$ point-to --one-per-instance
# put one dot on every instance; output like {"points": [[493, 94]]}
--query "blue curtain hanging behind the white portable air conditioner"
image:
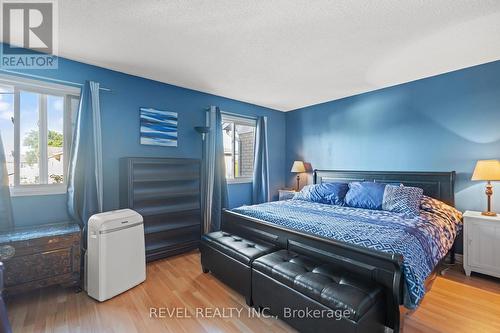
{"points": [[85, 192]]}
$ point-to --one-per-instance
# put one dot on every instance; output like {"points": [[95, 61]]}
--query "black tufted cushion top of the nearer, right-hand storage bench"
{"points": [[323, 282]]}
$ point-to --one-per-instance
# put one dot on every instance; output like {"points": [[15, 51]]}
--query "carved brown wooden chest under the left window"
{"points": [[40, 256]]}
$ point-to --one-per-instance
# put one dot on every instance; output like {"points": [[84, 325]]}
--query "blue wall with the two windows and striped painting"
{"points": [[120, 121]]}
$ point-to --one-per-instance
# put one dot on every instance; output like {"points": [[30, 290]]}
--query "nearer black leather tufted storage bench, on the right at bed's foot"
{"points": [[314, 296]]}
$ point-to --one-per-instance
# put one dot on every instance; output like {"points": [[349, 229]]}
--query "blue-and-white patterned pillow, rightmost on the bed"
{"points": [[402, 199]]}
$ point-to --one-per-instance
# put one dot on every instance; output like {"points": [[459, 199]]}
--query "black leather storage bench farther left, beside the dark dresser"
{"points": [[229, 257]]}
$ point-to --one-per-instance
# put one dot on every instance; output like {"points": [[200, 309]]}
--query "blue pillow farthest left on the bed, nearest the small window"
{"points": [[327, 193]]}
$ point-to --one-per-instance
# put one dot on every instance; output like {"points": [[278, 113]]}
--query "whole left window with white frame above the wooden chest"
{"points": [[36, 127]]}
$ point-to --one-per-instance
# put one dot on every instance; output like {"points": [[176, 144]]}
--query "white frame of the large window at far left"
{"points": [[19, 84]]}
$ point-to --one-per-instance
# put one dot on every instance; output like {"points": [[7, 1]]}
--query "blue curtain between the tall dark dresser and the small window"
{"points": [[214, 195]]}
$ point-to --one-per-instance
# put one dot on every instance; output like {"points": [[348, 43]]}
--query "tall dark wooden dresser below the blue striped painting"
{"points": [[166, 192]]}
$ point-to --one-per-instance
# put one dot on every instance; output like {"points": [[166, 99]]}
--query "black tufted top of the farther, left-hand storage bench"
{"points": [[236, 247]]}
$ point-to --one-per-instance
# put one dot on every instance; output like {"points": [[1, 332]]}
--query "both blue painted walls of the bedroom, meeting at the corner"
{"points": [[445, 123]]}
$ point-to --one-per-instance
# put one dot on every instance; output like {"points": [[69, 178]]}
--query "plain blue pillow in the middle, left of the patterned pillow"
{"points": [[368, 195]]}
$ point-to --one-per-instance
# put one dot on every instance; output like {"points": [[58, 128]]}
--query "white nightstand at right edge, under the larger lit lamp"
{"points": [[481, 244]]}
